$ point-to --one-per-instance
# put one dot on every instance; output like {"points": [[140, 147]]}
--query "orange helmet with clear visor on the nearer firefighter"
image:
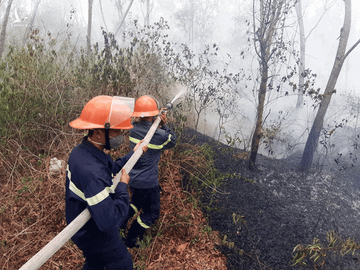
{"points": [[104, 111]]}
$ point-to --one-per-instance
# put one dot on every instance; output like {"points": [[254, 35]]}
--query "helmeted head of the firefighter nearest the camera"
{"points": [[104, 117]]}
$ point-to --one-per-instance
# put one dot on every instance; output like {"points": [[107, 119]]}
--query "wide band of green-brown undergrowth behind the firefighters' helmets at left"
{"points": [[42, 88]]}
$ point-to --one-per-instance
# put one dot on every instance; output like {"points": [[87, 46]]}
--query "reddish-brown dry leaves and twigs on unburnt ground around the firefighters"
{"points": [[32, 213]]}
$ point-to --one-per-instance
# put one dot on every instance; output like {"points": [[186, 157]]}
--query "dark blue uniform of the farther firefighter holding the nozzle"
{"points": [[144, 183]]}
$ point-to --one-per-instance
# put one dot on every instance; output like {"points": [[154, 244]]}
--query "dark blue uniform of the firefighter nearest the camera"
{"points": [[89, 185]]}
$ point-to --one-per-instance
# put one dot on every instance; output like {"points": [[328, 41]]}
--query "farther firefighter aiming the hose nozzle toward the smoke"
{"points": [[144, 184]]}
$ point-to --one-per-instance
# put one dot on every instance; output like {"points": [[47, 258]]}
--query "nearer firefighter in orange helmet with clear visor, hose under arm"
{"points": [[89, 184]]}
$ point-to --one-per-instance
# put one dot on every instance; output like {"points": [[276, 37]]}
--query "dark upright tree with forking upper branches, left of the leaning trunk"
{"points": [[268, 41]]}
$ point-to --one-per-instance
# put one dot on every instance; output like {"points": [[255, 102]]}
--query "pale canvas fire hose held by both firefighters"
{"points": [[58, 241]]}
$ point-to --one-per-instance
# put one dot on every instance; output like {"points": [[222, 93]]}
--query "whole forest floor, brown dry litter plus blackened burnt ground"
{"points": [[252, 221]]}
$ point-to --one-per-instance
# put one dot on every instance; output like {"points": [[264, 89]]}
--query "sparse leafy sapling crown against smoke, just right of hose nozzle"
{"points": [[209, 84]]}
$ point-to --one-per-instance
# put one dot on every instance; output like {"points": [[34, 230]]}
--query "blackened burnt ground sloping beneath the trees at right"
{"points": [[268, 211]]}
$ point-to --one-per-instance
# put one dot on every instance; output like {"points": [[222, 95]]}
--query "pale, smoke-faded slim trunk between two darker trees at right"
{"points": [[300, 98]]}
